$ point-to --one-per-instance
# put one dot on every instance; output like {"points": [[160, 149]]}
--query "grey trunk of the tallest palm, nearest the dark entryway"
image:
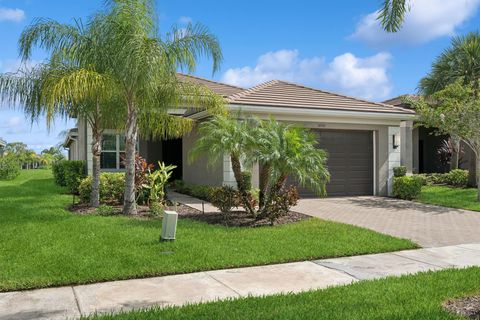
{"points": [[129, 205]]}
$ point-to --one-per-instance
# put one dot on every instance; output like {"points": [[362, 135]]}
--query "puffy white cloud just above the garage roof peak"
{"points": [[361, 77]]}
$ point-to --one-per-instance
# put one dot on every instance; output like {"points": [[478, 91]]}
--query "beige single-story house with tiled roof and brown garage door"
{"points": [[365, 140]]}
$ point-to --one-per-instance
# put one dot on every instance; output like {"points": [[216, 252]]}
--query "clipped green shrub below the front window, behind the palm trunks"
{"points": [[111, 188]]}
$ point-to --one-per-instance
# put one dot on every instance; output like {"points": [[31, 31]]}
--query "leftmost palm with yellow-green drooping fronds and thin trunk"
{"points": [[55, 88]]}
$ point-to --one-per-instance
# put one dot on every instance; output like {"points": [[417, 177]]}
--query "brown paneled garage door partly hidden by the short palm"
{"points": [[350, 162]]}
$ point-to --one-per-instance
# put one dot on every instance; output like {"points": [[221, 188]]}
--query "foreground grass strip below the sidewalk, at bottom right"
{"points": [[411, 297]]}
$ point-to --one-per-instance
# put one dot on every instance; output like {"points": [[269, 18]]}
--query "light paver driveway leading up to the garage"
{"points": [[427, 225]]}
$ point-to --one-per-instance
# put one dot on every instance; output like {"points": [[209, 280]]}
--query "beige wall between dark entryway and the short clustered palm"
{"points": [[199, 172]]}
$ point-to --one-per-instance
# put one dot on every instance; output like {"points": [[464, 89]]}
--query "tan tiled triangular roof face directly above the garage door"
{"points": [[278, 93]]}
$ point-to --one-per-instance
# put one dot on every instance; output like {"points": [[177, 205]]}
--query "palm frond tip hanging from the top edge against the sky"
{"points": [[392, 14]]}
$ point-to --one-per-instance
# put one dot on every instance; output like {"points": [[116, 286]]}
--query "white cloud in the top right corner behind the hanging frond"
{"points": [[427, 20]]}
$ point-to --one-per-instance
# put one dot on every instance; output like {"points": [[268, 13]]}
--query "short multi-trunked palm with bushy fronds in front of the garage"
{"points": [[282, 150]]}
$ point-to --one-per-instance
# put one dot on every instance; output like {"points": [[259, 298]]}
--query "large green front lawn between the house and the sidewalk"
{"points": [[42, 244]]}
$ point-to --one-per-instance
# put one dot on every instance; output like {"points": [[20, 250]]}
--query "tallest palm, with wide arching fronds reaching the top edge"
{"points": [[130, 60]]}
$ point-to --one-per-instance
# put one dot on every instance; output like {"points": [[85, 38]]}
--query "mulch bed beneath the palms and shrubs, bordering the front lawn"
{"points": [[237, 218]]}
